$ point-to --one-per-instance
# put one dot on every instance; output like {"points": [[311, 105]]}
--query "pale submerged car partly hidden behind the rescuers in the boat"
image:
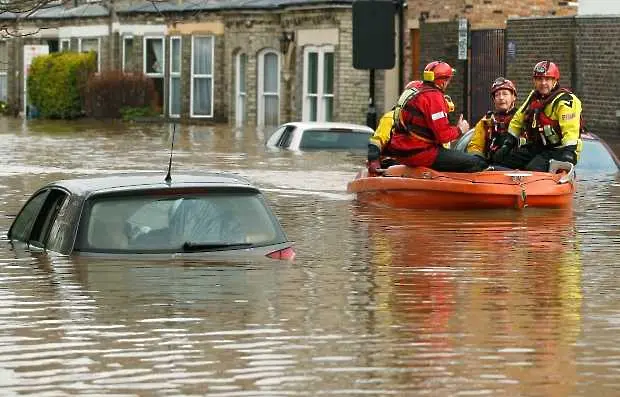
{"points": [[596, 155]]}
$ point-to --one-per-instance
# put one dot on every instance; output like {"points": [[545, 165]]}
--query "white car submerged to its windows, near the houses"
{"points": [[320, 136]]}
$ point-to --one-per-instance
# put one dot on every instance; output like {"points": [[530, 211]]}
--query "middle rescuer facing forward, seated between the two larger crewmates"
{"points": [[491, 131]]}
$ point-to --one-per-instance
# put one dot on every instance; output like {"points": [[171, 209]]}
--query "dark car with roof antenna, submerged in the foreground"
{"points": [[209, 215]]}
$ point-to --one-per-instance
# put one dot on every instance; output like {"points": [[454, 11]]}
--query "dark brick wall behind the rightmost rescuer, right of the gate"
{"points": [[587, 53]]}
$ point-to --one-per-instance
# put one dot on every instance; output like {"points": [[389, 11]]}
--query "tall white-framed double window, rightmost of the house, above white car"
{"points": [[318, 104]]}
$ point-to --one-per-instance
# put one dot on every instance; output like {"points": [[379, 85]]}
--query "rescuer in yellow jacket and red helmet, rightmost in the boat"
{"points": [[548, 124]]}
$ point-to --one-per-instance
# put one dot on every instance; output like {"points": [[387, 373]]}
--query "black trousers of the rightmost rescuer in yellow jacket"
{"points": [[533, 158]]}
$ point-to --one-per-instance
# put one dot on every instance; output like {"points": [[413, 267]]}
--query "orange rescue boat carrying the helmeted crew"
{"points": [[405, 187]]}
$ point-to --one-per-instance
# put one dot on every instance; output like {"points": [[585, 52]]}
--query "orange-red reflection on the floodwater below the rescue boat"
{"points": [[494, 296]]}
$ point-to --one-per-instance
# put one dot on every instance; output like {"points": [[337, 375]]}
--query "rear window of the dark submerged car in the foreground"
{"points": [[145, 224]]}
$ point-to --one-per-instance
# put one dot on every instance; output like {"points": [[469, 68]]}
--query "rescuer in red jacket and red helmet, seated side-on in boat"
{"points": [[421, 127]]}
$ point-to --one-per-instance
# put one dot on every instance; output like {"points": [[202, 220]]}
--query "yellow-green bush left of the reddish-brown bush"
{"points": [[56, 83]]}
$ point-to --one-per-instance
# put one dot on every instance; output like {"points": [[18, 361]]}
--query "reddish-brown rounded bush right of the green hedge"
{"points": [[114, 94]]}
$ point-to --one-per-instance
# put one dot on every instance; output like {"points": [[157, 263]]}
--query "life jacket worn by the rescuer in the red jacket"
{"points": [[417, 130]]}
